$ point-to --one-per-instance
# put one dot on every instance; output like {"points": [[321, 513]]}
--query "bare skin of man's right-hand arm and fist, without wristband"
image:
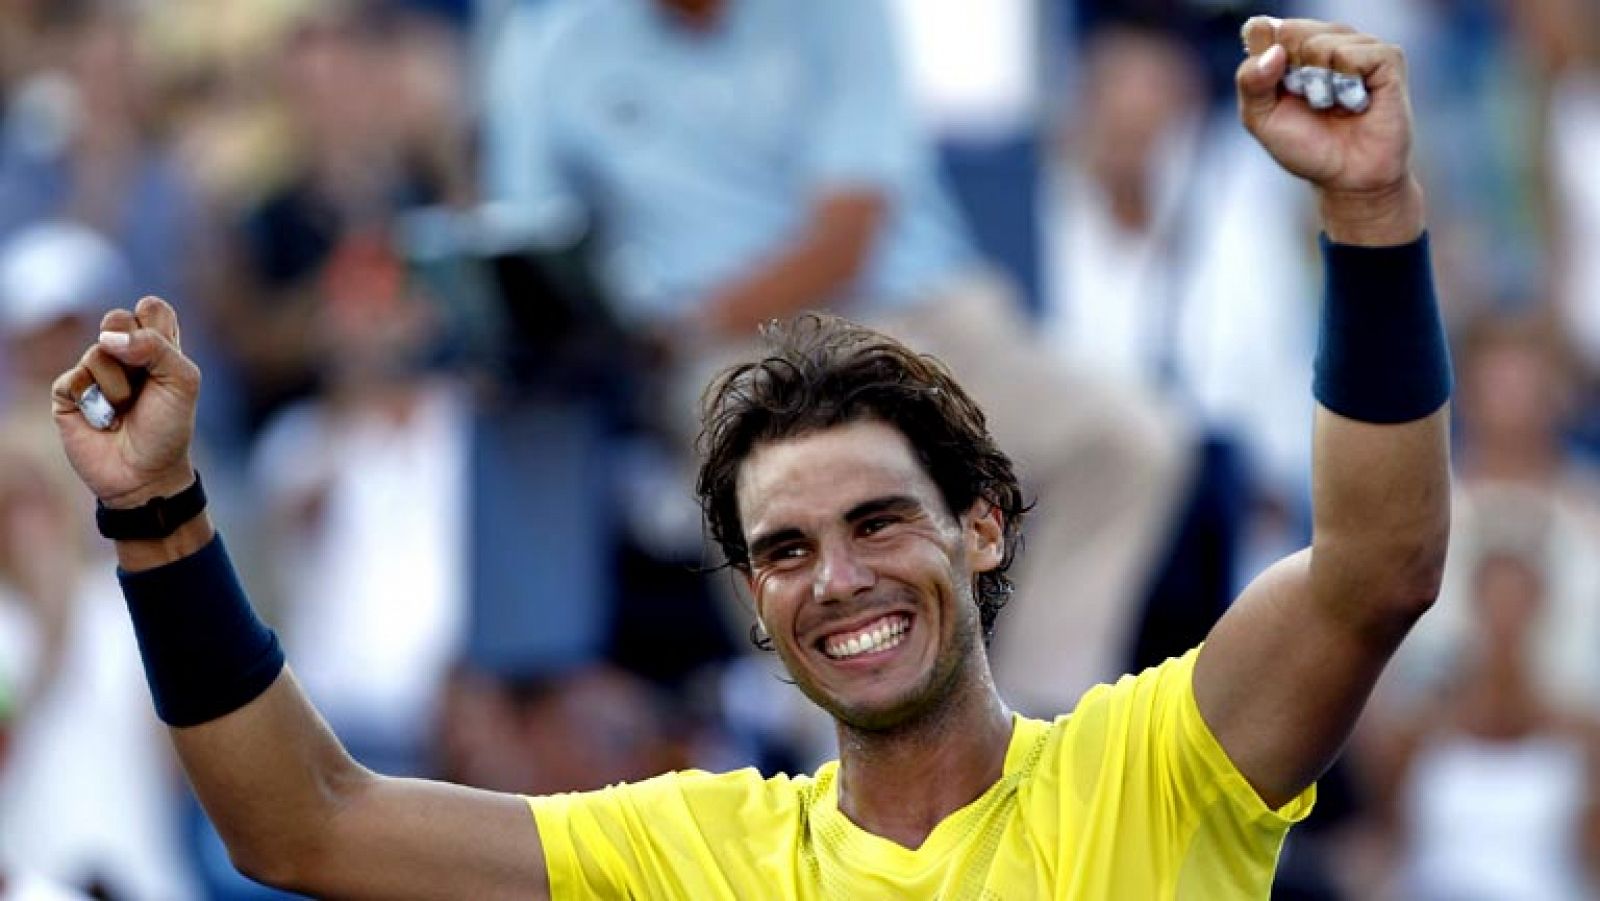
{"points": [[1287, 671]]}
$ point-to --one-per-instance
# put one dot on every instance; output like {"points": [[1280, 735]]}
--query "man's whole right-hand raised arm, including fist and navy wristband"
{"points": [[1284, 676]]}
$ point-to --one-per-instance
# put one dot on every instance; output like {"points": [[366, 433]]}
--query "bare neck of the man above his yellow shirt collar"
{"points": [[902, 783]]}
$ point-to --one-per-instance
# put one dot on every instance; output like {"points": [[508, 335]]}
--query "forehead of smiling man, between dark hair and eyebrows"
{"points": [[820, 476]]}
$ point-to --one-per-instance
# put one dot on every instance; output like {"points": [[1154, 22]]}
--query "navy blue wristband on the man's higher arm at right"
{"points": [[1383, 354]]}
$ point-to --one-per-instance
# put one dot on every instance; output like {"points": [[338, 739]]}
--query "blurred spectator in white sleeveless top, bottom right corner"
{"points": [[1494, 790]]}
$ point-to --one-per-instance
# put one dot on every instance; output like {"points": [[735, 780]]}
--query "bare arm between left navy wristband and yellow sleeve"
{"points": [[297, 812]]}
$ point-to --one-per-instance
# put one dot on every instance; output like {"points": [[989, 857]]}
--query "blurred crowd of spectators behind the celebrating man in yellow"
{"points": [[455, 270]]}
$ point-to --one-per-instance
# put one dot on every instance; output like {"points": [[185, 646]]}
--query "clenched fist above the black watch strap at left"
{"points": [[145, 375]]}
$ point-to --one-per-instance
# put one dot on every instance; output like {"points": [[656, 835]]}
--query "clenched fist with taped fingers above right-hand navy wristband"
{"points": [[1361, 164]]}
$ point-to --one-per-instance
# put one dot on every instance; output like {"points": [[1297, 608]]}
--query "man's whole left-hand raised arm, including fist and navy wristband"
{"points": [[295, 811]]}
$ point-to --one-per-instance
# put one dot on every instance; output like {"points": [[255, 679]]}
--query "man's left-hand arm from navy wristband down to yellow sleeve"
{"points": [[292, 806]]}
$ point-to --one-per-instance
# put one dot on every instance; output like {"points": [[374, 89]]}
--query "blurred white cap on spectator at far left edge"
{"points": [[57, 270]]}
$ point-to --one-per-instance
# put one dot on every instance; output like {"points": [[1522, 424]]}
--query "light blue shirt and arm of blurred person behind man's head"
{"points": [[726, 151]]}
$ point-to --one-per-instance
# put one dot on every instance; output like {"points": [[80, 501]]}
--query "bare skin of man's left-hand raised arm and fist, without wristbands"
{"points": [[295, 811]]}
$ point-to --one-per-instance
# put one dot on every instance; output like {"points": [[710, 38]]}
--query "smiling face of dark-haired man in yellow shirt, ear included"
{"points": [[862, 575]]}
